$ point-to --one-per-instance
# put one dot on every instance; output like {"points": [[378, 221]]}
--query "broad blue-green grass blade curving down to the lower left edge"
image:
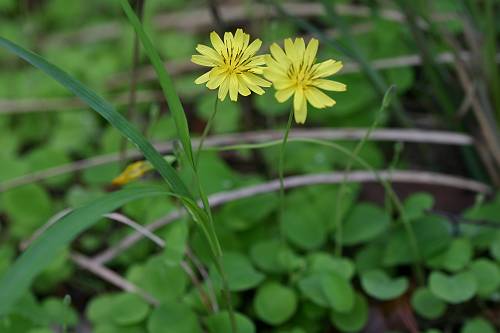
{"points": [[42, 251]]}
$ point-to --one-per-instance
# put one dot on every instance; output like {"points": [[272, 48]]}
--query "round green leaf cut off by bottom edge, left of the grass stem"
{"points": [[173, 317]]}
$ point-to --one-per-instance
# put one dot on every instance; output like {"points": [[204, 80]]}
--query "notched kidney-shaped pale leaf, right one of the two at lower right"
{"points": [[453, 288]]}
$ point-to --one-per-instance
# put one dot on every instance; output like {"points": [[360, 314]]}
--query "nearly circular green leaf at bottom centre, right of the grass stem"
{"points": [[275, 304]]}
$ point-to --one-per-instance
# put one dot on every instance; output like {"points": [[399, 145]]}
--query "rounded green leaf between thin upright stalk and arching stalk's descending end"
{"points": [[364, 222]]}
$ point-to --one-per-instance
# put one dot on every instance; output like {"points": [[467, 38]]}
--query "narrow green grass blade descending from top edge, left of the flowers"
{"points": [[166, 82]]}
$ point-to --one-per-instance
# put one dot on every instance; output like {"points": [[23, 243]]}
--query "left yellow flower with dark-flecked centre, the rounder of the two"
{"points": [[234, 65]]}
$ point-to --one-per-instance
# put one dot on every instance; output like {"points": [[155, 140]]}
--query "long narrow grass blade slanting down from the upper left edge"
{"points": [[106, 110]]}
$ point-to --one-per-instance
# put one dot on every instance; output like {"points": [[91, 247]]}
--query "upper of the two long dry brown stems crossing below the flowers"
{"points": [[403, 135]]}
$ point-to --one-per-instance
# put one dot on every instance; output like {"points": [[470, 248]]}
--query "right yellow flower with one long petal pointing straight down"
{"points": [[294, 72]]}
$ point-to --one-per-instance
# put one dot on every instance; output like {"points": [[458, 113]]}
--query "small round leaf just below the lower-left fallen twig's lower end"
{"points": [[128, 309]]}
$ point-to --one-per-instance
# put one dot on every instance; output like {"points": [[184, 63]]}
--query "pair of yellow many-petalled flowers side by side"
{"points": [[236, 69]]}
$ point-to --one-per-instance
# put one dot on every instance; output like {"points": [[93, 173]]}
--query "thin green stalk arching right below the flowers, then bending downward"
{"points": [[385, 183]]}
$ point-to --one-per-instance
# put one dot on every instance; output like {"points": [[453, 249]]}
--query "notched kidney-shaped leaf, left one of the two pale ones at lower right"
{"points": [[379, 285]]}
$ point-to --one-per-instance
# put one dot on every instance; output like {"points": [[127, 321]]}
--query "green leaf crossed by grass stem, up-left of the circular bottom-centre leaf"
{"points": [[240, 273]]}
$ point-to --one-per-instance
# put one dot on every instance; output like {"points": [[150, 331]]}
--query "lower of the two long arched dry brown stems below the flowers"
{"points": [[215, 200]]}
